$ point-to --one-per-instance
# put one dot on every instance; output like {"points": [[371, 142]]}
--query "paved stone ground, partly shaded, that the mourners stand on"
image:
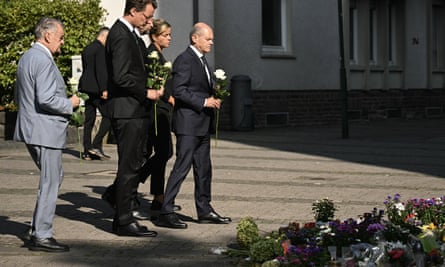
{"points": [[272, 175]]}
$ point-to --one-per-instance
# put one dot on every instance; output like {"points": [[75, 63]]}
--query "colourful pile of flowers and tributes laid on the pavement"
{"points": [[404, 234]]}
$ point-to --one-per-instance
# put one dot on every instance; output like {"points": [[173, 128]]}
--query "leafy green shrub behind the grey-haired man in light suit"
{"points": [[82, 19]]}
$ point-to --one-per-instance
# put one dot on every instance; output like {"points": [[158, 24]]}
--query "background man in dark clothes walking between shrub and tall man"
{"points": [[94, 83]]}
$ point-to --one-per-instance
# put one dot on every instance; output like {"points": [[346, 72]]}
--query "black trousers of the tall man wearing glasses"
{"points": [[130, 136]]}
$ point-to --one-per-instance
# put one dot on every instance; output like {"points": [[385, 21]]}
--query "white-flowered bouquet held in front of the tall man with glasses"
{"points": [[158, 74]]}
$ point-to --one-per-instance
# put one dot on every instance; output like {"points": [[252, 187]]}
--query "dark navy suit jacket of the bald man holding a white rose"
{"points": [[190, 89]]}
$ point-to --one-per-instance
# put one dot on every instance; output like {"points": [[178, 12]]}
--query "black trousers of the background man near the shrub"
{"points": [[93, 103]]}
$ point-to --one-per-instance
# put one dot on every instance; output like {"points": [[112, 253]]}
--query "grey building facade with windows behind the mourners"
{"points": [[290, 52]]}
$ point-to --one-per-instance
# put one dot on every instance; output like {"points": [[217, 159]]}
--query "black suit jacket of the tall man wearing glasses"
{"points": [[126, 74]]}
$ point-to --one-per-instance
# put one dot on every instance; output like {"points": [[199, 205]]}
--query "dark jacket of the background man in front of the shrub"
{"points": [[94, 71]]}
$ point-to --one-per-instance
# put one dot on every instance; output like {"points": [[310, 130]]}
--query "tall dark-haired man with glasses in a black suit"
{"points": [[129, 107]]}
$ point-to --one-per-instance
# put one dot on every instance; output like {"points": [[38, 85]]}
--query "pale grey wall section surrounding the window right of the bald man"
{"points": [[315, 42]]}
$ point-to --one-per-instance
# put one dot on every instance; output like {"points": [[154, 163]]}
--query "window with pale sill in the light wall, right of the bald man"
{"points": [[276, 33]]}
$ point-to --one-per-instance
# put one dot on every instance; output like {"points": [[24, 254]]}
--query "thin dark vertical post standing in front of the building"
{"points": [[343, 80]]}
